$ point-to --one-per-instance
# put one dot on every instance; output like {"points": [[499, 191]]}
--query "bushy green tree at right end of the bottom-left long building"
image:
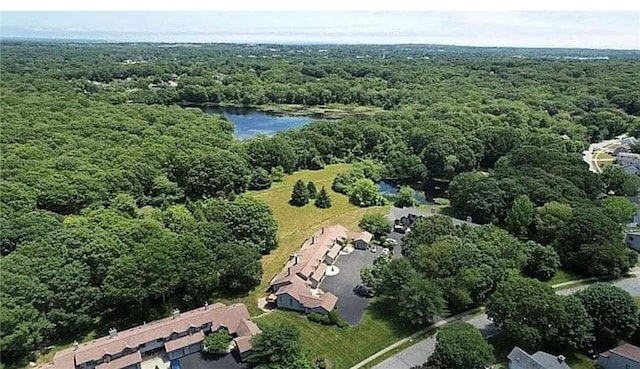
{"points": [[279, 347]]}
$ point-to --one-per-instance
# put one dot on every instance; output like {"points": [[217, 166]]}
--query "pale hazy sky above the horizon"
{"points": [[617, 30]]}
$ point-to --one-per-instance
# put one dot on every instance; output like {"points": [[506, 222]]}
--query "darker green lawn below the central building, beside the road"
{"points": [[343, 347]]}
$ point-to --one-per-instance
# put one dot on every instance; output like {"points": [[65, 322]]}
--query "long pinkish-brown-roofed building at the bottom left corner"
{"points": [[171, 338]]}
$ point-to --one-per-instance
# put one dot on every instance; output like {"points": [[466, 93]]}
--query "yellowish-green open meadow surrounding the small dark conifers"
{"points": [[295, 224]]}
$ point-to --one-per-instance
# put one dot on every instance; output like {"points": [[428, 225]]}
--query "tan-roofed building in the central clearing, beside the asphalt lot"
{"points": [[296, 287]]}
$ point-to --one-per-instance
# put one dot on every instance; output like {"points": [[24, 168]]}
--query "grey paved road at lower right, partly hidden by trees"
{"points": [[418, 353]]}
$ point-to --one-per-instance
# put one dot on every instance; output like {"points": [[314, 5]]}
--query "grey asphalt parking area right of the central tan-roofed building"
{"points": [[351, 307]]}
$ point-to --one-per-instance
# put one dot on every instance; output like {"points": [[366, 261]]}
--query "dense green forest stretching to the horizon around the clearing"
{"points": [[120, 198]]}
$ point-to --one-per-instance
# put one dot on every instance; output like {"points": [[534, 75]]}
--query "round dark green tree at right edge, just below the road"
{"points": [[612, 310]]}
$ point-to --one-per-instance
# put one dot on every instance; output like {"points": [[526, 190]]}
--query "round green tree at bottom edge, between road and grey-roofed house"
{"points": [[460, 345]]}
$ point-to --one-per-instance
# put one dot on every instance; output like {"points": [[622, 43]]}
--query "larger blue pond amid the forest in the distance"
{"points": [[249, 123]]}
